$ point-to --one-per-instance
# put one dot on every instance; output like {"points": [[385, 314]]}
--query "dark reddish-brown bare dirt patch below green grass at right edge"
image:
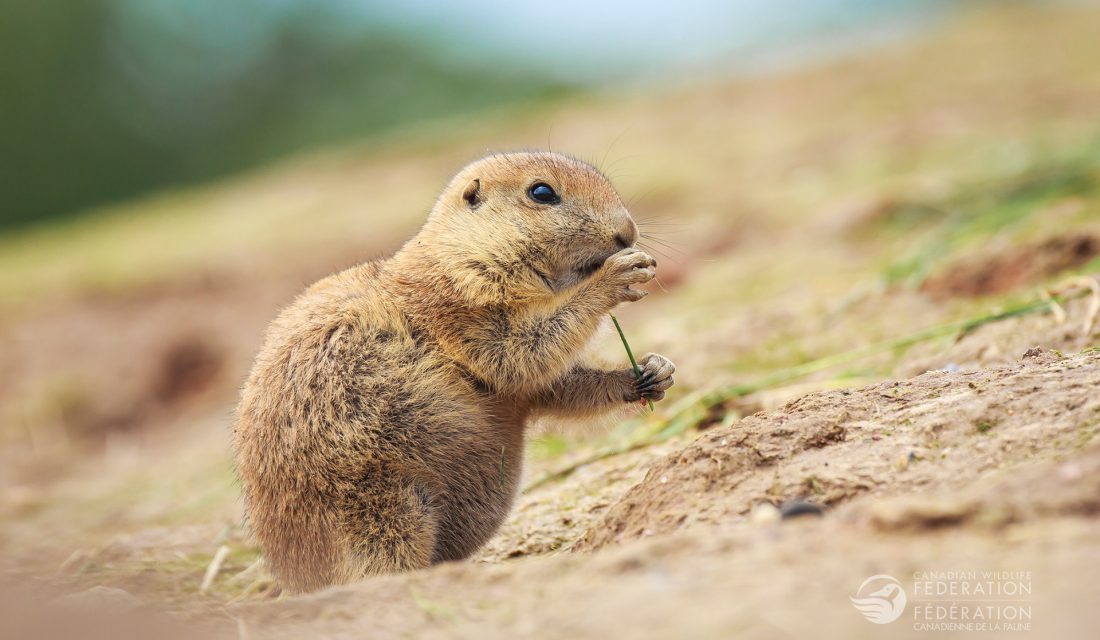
{"points": [[1009, 270]]}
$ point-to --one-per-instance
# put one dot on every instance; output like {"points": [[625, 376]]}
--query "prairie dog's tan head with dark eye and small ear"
{"points": [[523, 227]]}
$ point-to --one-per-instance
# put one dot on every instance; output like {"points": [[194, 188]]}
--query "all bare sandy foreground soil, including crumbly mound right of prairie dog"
{"points": [[993, 470]]}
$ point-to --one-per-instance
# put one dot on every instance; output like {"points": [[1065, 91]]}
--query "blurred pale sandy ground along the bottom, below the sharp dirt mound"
{"points": [[789, 579]]}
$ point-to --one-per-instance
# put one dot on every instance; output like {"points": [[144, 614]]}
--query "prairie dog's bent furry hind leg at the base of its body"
{"points": [[391, 528]]}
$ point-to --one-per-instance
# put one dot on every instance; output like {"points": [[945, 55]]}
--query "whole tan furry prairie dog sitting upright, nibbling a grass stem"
{"points": [[382, 426]]}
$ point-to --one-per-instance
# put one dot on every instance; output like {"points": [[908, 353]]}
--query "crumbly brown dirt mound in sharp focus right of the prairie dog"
{"points": [[942, 429]]}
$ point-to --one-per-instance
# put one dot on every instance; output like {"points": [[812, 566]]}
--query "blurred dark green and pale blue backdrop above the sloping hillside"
{"points": [[103, 101]]}
